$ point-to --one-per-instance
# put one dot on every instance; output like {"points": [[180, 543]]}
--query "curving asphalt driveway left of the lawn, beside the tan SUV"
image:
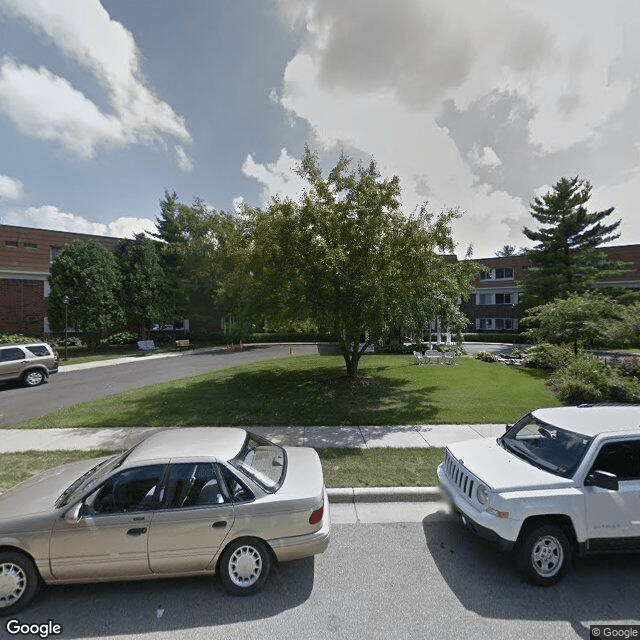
{"points": [[18, 404]]}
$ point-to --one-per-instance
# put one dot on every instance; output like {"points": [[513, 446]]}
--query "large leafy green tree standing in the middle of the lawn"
{"points": [[345, 257]]}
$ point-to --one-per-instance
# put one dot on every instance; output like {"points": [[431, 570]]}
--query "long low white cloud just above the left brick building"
{"points": [[50, 217]]}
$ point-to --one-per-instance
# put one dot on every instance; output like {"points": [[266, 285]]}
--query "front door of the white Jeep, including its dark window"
{"points": [[613, 517]]}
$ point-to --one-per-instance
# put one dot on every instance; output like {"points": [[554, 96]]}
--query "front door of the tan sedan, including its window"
{"points": [[109, 540]]}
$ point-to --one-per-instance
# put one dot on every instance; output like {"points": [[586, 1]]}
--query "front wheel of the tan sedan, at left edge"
{"points": [[19, 582]]}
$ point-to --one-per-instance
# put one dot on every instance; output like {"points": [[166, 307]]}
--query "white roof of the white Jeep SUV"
{"points": [[592, 420]]}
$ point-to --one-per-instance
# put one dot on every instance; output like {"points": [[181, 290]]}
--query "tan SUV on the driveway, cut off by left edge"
{"points": [[31, 363]]}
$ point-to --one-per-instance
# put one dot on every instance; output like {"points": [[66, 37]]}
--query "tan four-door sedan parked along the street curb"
{"points": [[183, 502]]}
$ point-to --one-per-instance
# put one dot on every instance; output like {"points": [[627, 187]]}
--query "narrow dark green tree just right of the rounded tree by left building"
{"points": [[143, 294]]}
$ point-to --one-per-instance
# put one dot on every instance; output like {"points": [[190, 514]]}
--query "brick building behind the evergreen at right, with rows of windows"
{"points": [[495, 303]]}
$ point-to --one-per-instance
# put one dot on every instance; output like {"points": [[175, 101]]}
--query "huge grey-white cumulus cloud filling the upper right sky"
{"points": [[376, 77]]}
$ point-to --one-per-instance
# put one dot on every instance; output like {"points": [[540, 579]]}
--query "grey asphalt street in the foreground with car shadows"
{"points": [[399, 580]]}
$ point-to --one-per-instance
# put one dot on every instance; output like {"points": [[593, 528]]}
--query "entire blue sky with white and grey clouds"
{"points": [[476, 105]]}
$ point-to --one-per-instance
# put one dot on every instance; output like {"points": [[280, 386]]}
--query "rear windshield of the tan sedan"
{"points": [[264, 462]]}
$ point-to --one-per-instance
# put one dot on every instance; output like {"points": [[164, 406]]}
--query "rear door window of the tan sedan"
{"points": [[191, 484]]}
